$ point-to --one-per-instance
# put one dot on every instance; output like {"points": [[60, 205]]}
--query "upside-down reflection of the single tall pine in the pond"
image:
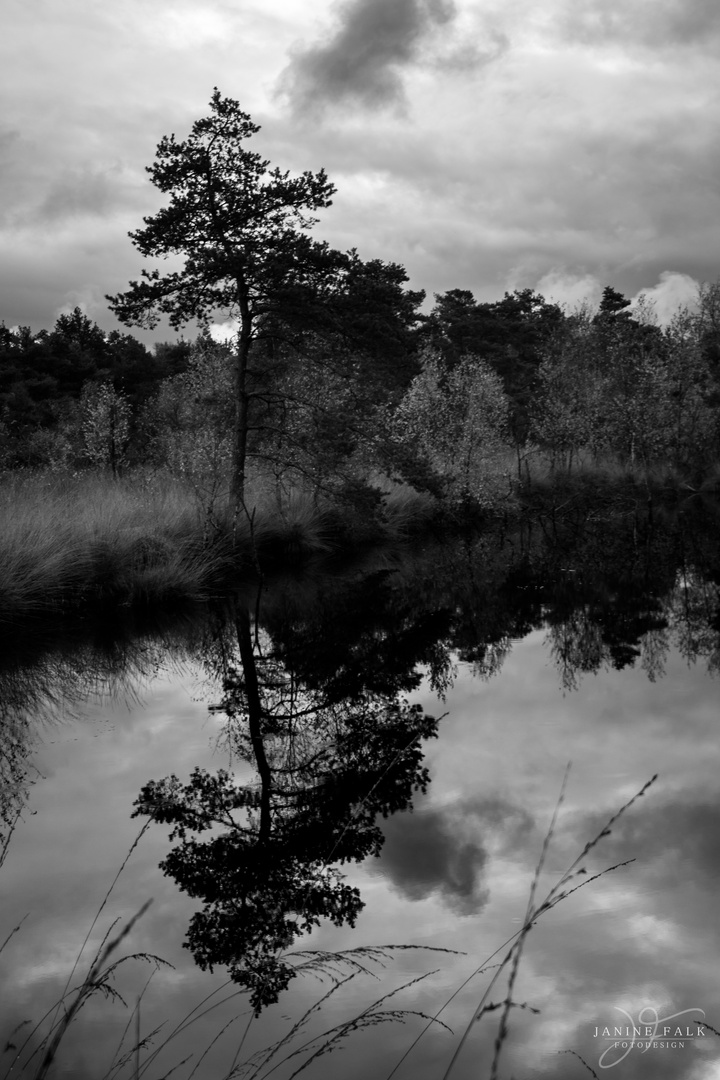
{"points": [[328, 767]]}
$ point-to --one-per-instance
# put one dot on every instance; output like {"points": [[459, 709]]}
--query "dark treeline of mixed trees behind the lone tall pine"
{"points": [[452, 402]]}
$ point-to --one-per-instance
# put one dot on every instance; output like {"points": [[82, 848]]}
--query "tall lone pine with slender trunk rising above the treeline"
{"points": [[240, 227]]}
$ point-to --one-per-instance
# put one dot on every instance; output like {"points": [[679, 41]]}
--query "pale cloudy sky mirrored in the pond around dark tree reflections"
{"points": [[454, 874]]}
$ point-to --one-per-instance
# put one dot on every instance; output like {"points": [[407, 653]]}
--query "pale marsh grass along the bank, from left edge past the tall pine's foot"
{"points": [[74, 543]]}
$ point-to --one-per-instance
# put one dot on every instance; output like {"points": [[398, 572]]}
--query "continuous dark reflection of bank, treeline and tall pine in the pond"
{"points": [[314, 688]]}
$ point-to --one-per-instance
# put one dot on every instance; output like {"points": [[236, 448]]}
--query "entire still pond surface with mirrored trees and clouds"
{"points": [[460, 679]]}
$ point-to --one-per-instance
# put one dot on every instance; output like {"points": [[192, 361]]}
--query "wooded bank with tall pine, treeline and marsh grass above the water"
{"points": [[344, 411]]}
